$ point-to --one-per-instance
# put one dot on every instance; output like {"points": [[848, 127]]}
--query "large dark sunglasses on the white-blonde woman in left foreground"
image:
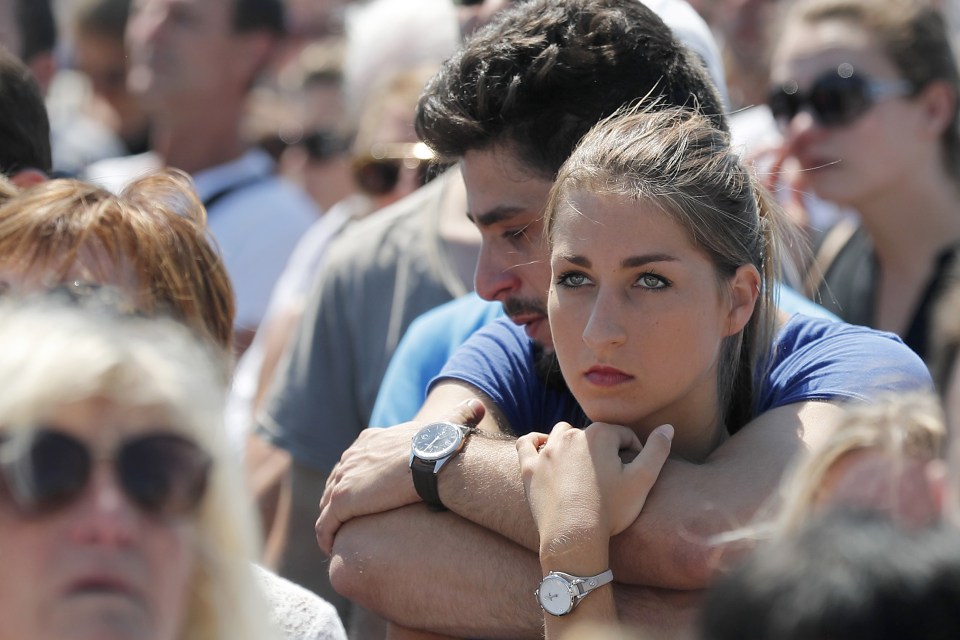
{"points": [[164, 474]]}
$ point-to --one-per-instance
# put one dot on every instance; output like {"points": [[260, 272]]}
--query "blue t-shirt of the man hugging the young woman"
{"points": [[813, 359]]}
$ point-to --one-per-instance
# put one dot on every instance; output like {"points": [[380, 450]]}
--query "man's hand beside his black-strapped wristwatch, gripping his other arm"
{"points": [[373, 475]]}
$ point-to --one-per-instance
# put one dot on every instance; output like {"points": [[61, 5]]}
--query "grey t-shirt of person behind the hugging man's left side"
{"points": [[378, 276]]}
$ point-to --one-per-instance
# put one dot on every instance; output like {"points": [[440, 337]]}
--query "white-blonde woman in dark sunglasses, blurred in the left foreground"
{"points": [[122, 514]]}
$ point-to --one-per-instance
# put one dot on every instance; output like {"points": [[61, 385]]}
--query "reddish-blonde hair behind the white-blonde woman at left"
{"points": [[156, 227]]}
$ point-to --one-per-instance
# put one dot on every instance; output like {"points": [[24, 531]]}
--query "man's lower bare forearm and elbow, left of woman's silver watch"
{"points": [[438, 572]]}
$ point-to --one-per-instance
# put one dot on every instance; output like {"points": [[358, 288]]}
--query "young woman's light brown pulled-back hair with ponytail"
{"points": [[677, 160]]}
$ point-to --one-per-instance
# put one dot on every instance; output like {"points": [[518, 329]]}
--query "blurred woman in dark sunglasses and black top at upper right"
{"points": [[865, 92]]}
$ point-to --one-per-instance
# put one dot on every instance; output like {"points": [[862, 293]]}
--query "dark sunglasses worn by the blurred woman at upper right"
{"points": [[835, 99]]}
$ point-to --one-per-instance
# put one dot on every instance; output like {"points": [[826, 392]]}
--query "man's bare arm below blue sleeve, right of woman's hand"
{"points": [[671, 544]]}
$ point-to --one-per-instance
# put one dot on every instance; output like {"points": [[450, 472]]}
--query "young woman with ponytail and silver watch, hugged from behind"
{"points": [[664, 255]]}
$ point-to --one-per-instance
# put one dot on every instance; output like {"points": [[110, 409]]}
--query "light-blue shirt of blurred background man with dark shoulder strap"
{"points": [[256, 225]]}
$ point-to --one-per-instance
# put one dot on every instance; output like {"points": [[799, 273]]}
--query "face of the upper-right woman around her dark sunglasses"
{"points": [[856, 163]]}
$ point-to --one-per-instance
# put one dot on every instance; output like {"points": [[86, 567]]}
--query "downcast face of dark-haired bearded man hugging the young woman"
{"points": [[505, 200]]}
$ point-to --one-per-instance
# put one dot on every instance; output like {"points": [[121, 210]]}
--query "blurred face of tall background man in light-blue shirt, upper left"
{"points": [[182, 50]]}
